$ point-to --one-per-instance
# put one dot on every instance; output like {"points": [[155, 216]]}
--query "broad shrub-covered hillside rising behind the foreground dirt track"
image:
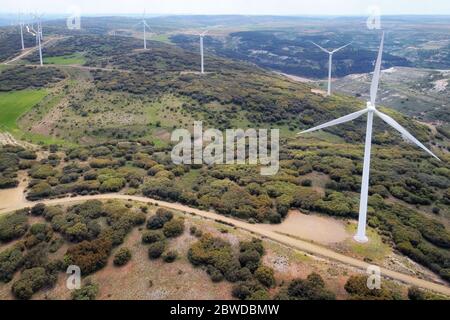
{"points": [[107, 118]]}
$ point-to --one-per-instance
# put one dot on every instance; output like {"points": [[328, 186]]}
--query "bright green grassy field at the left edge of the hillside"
{"points": [[15, 104]]}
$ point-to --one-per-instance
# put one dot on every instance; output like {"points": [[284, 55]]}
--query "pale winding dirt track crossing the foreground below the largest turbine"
{"points": [[257, 230]]}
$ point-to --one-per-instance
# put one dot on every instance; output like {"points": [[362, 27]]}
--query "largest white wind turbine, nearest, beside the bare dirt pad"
{"points": [[371, 110]]}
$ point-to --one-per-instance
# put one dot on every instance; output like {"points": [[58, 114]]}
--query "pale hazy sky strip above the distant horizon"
{"points": [[266, 7]]}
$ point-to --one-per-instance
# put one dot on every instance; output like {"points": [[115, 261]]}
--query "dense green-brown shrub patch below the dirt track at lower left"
{"points": [[91, 229]]}
